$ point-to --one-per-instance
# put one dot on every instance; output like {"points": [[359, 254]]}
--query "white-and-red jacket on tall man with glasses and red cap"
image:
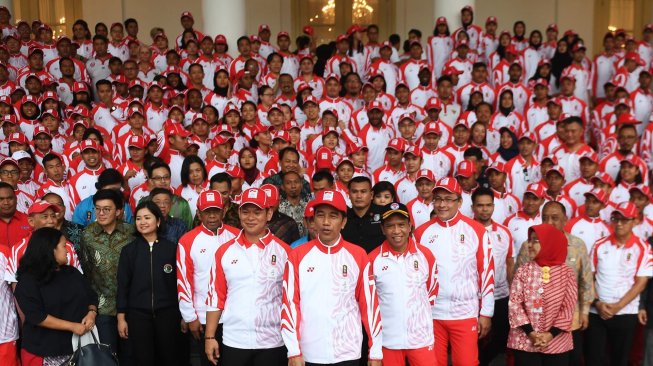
{"points": [[465, 267]]}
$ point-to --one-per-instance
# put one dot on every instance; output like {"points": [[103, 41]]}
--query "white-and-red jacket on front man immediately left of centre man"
{"points": [[245, 282]]}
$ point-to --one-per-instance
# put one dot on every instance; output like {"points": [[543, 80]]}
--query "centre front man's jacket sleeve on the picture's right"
{"points": [[368, 302]]}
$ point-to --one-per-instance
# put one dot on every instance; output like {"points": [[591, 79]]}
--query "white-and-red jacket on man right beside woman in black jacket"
{"points": [[195, 255]]}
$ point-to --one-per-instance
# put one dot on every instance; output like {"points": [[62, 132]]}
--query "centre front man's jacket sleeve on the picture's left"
{"points": [[290, 310]]}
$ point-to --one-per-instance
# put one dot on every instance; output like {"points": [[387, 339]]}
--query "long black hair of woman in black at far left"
{"points": [[38, 259]]}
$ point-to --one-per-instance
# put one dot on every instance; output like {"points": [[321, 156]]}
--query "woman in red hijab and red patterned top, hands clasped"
{"points": [[542, 299]]}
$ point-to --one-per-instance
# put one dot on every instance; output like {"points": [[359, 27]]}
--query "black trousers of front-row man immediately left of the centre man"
{"points": [[254, 357]]}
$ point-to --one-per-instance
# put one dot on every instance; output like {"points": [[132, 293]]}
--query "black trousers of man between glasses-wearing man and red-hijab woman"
{"points": [[495, 342]]}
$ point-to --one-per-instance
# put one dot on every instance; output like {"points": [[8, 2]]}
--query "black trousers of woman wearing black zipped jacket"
{"points": [[154, 337]]}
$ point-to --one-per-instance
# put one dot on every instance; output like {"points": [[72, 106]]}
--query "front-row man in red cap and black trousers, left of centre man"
{"points": [[251, 323]]}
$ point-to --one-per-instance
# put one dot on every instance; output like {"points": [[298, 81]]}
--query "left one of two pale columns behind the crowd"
{"points": [[224, 17]]}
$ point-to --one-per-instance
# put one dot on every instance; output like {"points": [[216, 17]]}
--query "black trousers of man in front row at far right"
{"points": [[615, 333]]}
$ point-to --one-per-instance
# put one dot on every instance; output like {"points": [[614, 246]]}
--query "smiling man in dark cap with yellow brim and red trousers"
{"points": [[405, 273]]}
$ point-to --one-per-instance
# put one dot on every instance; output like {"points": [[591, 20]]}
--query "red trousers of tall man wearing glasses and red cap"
{"points": [[463, 337]]}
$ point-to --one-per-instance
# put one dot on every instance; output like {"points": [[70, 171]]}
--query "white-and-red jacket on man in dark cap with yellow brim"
{"points": [[408, 285]]}
